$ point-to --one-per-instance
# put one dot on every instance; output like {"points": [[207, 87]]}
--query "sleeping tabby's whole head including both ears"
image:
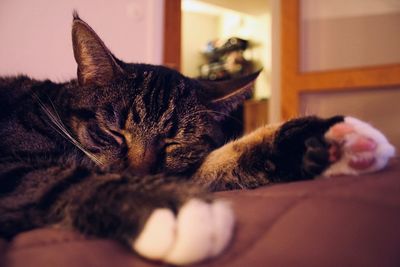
{"points": [[150, 118]]}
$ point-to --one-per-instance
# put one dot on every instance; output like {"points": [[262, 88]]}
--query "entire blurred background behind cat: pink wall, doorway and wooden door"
{"points": [[318, 57]]}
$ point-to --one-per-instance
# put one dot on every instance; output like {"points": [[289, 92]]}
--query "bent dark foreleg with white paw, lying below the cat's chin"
{"points": [[172, 222]]}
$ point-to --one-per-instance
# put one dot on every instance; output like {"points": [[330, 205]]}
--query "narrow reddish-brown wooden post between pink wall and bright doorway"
{"points": [[172, 34]]}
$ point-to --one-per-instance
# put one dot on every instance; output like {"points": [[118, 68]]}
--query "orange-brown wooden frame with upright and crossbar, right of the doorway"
{"points": [[294, 82]]}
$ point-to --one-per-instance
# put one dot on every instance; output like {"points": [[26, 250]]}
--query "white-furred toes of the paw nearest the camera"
{"points": [[201, 230]]}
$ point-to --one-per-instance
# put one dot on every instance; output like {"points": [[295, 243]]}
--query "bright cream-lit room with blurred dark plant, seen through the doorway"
{"points": [[210, 25]]}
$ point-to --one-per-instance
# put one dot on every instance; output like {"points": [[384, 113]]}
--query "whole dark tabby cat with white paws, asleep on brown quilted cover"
{"points": [[129, 152]]}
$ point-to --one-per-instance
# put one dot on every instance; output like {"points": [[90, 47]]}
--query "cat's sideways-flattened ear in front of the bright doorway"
{"points": [[225, 96]]}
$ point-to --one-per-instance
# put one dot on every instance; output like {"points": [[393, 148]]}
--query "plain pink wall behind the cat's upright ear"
{"points": [[36, 35]]}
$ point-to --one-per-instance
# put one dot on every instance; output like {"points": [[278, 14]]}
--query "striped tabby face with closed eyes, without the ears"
{"points": [[152, 120]]}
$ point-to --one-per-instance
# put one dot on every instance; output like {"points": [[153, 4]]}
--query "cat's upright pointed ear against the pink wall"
{"points": [[96, 64]]}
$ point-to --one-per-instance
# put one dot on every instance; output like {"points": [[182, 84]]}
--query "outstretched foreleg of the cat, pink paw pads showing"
{"points": [[298, 149]]}
